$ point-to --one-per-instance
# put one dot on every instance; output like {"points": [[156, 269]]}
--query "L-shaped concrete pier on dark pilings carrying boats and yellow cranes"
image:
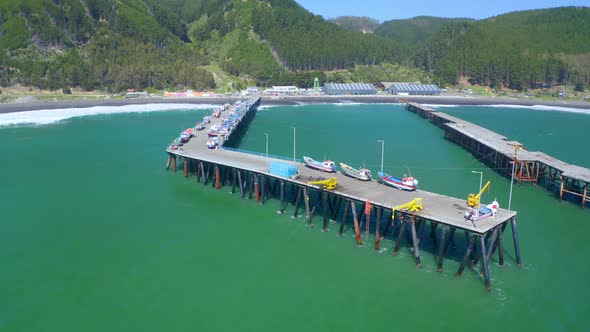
{"points": [[361, 206]]}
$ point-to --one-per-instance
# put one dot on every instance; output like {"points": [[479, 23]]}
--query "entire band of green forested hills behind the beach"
{"points": [[177, 44]]}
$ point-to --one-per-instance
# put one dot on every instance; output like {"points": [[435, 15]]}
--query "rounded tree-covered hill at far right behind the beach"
{"points": [[519, 50]]}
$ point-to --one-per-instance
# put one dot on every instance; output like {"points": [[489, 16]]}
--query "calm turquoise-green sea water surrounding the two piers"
{"points": [[97, 236]]}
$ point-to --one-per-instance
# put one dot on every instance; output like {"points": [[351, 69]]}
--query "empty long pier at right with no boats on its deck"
{"points": [[570, 182]]}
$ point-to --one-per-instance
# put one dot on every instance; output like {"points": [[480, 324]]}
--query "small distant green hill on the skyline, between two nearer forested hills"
{"points": [[414, 31]]}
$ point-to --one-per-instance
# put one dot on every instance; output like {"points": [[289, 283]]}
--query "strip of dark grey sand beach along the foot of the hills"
{"points": [[294, 100]]}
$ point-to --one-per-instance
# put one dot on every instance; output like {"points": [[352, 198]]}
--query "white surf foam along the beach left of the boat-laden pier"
{"points": [[44, 117]]}
